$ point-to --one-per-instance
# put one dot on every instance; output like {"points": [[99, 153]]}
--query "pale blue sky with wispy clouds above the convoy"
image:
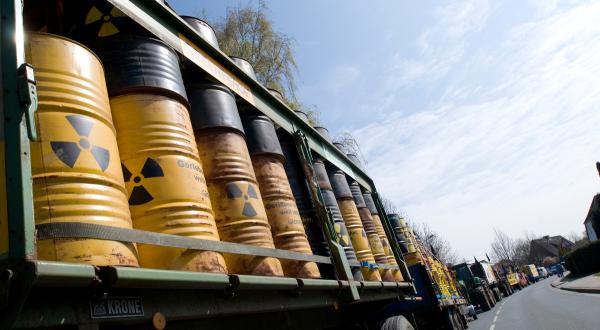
{"points": [[472, 114]]}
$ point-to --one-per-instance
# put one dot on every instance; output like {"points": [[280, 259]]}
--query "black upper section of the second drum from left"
{"points": [[133, 64]]}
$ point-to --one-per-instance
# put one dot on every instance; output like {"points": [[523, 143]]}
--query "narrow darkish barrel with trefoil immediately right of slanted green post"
{"points": [[344, 238]]}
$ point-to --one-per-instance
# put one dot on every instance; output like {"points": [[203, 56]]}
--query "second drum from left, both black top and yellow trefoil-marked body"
{"points": [[158, 152]]}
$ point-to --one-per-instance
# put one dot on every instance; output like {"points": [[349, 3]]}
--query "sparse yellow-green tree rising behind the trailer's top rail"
{"points": [[247, 32]]}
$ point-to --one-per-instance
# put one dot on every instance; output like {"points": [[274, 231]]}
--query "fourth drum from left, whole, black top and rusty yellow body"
{"points": [[282, 212]]}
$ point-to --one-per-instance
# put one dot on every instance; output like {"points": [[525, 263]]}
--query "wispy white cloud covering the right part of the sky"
{"points": [[520, 156]]}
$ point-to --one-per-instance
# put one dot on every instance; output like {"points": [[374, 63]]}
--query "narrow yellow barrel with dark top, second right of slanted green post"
{"points": [[353, 221]]}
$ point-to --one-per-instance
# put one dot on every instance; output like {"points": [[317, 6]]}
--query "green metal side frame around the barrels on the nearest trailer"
{"points": [[18, 127]]}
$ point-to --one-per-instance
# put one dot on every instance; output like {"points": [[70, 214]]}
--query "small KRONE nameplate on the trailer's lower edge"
{"points": [[116, 307]]}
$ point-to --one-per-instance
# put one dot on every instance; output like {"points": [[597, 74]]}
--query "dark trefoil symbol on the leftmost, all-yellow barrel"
{"points": [[68, 152]]}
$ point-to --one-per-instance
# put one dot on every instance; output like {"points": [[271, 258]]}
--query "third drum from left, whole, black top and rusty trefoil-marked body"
{"points": [[234, 193]]}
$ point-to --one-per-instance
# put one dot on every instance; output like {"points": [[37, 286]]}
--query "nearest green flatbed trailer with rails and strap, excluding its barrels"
{"points": [[37, 293]]}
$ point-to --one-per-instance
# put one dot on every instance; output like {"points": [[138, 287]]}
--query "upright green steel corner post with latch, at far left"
{"points": [[17, 156]]}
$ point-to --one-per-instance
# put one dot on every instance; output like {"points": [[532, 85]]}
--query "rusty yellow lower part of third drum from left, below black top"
{"points": [[236, 199]]}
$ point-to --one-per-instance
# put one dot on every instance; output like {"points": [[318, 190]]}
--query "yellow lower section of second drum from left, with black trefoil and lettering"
{"points": [[165, 180]]}
